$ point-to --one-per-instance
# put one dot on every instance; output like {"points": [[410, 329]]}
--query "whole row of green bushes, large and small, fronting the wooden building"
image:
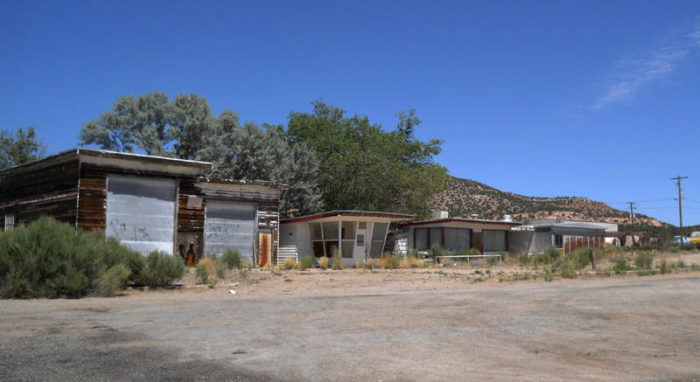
{"points": [[51, 259]]}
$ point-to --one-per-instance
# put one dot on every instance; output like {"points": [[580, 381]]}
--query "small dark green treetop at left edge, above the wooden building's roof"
{"points": [[22, 147]]}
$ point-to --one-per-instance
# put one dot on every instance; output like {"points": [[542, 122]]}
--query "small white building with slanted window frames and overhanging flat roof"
{"points": [[358, 235]]}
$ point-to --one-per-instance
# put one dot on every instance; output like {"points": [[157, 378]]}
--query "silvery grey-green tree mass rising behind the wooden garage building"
{"points": [[185, 128]]}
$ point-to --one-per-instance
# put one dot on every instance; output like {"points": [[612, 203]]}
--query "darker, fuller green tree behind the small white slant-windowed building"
{"points": [[361, 166]]}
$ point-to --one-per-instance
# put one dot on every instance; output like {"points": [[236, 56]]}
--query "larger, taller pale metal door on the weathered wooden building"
{"points": [[141, 212]]}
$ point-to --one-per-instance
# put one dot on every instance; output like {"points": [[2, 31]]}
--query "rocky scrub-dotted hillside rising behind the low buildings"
{"points": [[465, 197]]}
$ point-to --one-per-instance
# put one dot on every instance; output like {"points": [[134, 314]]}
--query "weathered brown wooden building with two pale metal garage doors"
{"points": [[147, 202]]}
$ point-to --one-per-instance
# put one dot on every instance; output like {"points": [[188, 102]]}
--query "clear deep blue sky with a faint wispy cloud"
{"points": [[590, 98]]}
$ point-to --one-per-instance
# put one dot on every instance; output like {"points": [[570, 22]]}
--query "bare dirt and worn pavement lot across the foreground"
{"points": [[422, 324]]}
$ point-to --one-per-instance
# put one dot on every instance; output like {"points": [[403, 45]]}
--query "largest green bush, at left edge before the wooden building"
{"points": [[52, 259]]}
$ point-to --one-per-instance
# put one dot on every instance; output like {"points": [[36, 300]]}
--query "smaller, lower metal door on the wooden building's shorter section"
{"points": [[229, 225]]}
